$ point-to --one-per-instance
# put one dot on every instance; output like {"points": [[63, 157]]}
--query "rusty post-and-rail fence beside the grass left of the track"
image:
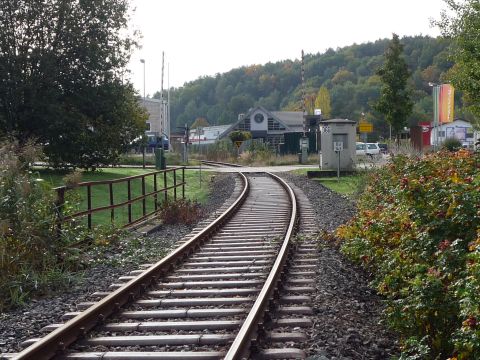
{"points": [[152, 179]]}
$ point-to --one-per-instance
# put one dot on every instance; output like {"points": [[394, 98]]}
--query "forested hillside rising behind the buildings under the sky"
{"points": [[348, 73]]}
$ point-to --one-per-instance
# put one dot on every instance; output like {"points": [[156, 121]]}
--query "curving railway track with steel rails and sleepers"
{"points": [[237, 289]]}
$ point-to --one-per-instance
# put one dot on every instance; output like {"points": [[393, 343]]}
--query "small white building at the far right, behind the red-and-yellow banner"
{"points": [[459, 129]]}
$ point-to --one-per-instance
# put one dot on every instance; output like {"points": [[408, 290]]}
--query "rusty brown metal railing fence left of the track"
{"points": [[62, 190]]}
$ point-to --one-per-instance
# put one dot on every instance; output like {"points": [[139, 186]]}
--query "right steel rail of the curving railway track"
{"points": [[240, 348]]}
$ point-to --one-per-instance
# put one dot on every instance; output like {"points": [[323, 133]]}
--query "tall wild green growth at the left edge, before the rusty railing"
{"points": [[32, 257]]}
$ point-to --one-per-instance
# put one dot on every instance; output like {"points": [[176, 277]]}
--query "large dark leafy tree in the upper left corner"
{"points": [[62, 67]]}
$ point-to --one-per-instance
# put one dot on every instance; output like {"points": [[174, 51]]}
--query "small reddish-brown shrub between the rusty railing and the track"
{"points": [[180, 211]]}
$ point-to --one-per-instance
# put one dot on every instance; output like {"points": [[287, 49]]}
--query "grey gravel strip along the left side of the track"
{"points": [[25, 323]]}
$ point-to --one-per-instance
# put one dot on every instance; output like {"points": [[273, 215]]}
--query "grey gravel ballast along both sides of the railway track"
{"points": [[346, 311]]}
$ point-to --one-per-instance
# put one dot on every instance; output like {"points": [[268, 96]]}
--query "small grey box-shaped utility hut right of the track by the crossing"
{"points": [[338, 136]]}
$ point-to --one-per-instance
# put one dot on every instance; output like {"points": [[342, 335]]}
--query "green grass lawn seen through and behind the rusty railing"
{"points": [[77, 199]]}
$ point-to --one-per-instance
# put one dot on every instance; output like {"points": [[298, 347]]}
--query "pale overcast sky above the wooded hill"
{"points": [[202, 38]]}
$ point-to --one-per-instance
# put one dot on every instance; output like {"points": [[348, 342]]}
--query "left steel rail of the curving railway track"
{"points": [[55, 342]]}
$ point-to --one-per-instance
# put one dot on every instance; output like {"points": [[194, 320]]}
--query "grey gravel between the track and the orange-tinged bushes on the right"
{"points": [[347, 311]]}
